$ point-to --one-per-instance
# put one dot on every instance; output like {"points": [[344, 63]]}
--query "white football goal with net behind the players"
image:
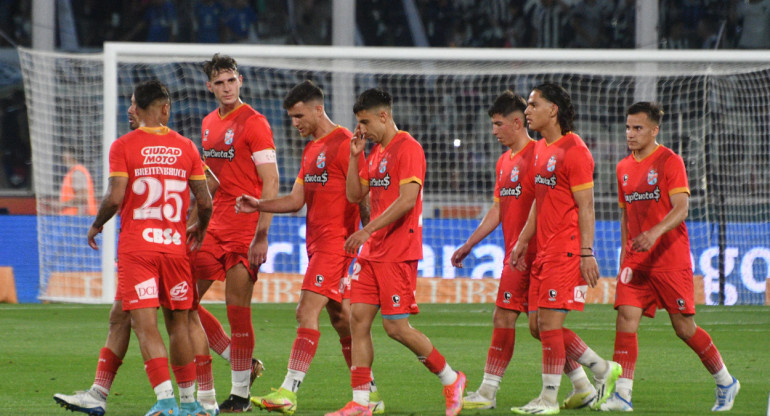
{"points": [[717, 115]]}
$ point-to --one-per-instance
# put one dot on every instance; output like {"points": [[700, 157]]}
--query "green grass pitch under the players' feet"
{"points": [[47, 349]]}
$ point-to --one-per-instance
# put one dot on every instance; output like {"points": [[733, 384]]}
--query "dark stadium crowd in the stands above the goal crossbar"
{"points": [[683, 24]]}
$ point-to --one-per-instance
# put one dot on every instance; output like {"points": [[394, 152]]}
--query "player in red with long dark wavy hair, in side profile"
{"points": [[562, 216]]}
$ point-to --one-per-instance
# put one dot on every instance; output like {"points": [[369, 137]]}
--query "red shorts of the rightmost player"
{"points": [[671, 290]]}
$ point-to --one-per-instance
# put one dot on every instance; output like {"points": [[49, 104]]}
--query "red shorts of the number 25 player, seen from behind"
{"points": [[148, 279]]}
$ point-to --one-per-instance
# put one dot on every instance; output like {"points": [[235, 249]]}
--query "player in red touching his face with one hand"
{"points": [[392, 246]]}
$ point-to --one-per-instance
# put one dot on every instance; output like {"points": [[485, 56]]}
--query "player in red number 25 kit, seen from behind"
{"points": [[152, 171]]}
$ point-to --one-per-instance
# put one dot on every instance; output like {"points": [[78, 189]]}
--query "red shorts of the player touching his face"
{"points": [[389, 285]]}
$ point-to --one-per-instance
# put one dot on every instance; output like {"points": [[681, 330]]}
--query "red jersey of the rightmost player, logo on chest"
{"points": [[644, 189]]}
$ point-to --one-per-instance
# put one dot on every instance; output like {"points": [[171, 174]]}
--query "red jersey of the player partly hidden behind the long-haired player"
{"points": [[515, 194]]}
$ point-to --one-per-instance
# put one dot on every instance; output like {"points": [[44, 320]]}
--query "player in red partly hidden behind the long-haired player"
{"points": [[512, 201]]}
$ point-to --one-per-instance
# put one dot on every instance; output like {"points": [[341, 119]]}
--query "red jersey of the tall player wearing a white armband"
{"points": [[229, 143]]}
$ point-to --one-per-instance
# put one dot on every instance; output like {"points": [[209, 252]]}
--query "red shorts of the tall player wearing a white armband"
{"points": [[216, 257]]}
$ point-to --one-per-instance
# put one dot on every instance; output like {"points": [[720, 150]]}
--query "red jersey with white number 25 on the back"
{"points": [[158, 162]]}
